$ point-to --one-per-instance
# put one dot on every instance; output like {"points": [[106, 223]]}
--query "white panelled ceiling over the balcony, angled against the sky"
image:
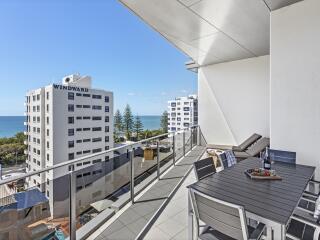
{"points": [[211, 31]]}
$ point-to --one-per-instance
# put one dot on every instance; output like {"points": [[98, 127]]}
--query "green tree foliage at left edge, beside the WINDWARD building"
{"points": [[12, 150]]}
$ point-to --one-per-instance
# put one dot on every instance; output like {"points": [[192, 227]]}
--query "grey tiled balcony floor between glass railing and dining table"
{"points": [[132, 222]]}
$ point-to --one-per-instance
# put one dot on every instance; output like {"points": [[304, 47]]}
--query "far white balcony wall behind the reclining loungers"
{"points": [[234, 100]]}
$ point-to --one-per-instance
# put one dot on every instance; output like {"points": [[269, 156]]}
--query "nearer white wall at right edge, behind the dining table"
{"points": [[295, 80]]}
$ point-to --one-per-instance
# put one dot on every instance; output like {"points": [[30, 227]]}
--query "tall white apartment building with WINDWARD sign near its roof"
{"points": [[65, 122]]}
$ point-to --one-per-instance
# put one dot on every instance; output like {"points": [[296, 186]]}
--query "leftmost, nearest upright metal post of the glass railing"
{"points": [[72, 204]]}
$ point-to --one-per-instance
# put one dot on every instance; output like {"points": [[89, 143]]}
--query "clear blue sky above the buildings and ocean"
{"points": [[41, 41]]}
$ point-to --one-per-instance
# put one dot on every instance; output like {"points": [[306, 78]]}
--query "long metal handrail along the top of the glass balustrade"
{"points": [[74, 161]]}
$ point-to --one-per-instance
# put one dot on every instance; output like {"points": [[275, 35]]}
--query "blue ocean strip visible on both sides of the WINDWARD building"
{"points": [[10, 125]]}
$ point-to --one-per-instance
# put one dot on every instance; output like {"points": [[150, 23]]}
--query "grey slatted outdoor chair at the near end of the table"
{"points": [[223, 220]]}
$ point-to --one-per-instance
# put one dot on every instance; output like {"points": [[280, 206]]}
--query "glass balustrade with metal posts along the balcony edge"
{"points": [[100, 190]]}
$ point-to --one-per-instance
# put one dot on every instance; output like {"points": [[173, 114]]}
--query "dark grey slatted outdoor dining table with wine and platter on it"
{"points": [[271, 202]]}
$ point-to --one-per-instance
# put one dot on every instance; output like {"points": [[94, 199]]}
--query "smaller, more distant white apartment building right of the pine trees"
{"points": [[182, 113]]}
